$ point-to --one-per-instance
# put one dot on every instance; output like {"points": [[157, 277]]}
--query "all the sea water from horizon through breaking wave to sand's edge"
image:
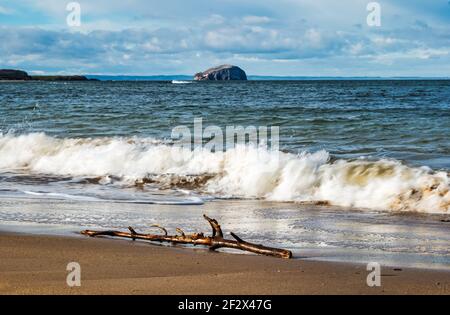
{"points": [[360, 149]]}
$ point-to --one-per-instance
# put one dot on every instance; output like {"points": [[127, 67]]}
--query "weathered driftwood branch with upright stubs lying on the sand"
{"points": [[213, 242]]}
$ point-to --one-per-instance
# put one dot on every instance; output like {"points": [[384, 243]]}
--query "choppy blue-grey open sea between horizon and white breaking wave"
{"points": [[405, 120]]}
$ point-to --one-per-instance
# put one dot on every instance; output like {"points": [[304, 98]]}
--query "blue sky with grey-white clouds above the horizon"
{"points": [[264, 37]]}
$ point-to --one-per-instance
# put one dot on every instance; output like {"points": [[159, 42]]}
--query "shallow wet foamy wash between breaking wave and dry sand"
{"points": [[310, 232]]}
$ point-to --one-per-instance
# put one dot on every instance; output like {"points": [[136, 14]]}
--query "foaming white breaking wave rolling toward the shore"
{"points": [[243, 172]]}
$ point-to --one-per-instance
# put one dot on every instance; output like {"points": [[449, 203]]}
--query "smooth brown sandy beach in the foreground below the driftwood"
{"points": [[37, 265]]}
